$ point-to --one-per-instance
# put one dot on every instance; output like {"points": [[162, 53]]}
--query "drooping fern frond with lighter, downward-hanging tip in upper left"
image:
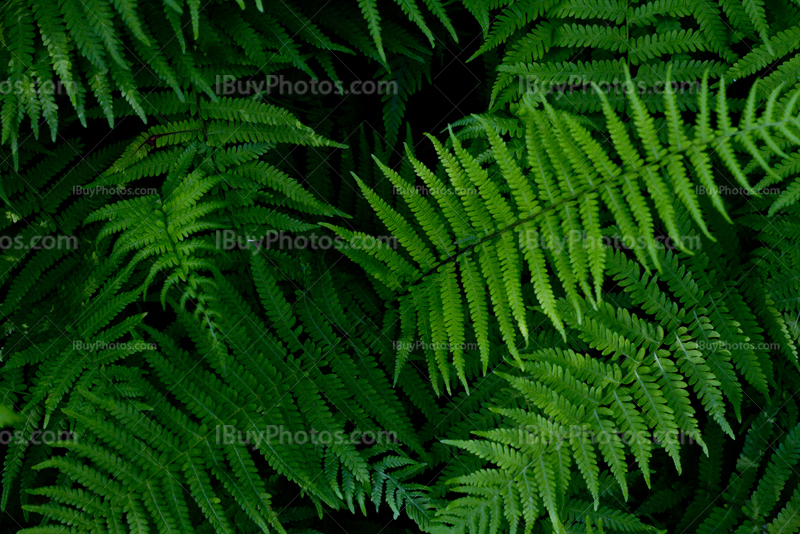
{"points": [[161, 227]]}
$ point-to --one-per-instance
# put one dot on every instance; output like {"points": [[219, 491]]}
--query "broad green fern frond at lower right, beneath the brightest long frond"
{"points": [[573, 409]]}
